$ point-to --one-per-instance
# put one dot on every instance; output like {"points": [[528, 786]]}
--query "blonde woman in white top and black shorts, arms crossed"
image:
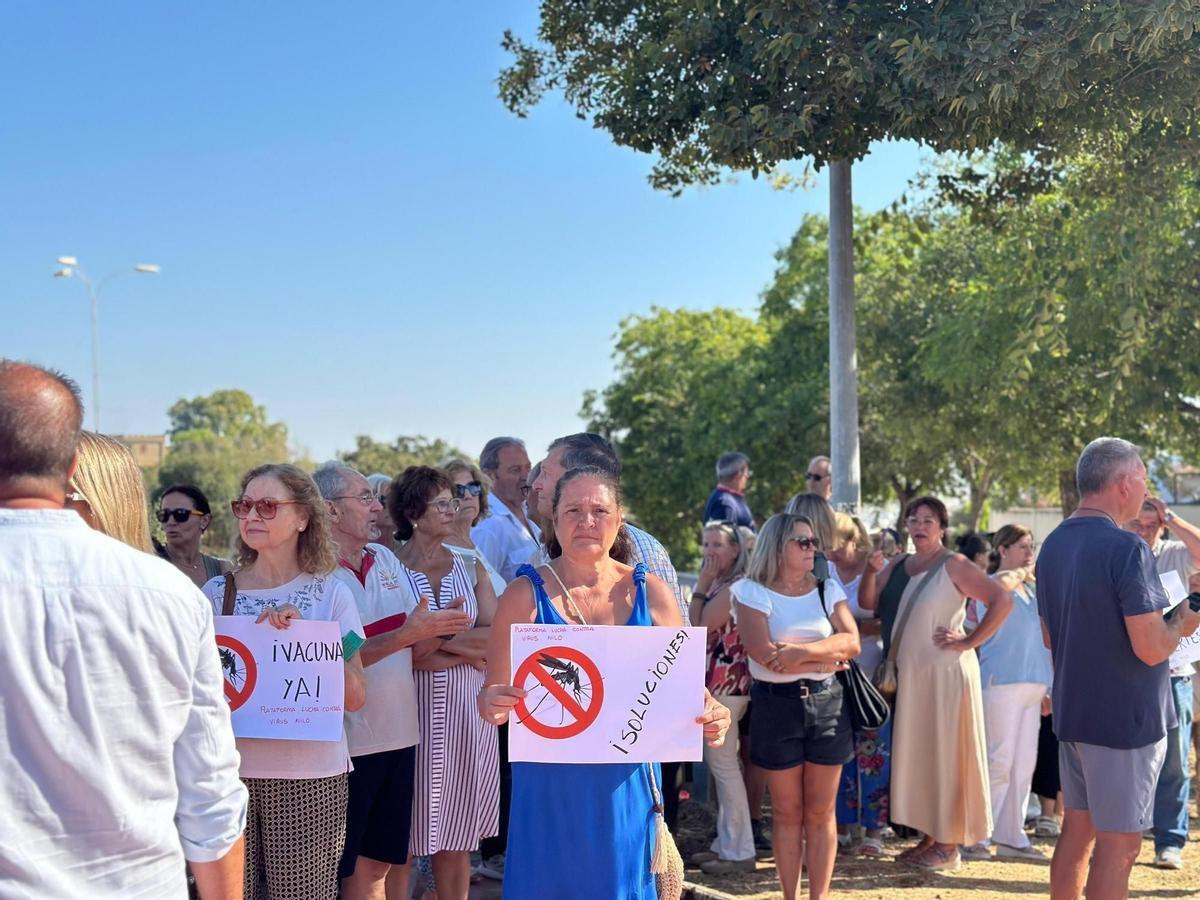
{"points": [[800, 730]]}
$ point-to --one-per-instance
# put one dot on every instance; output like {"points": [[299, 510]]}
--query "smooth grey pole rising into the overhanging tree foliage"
{"points": [[843, 353]]}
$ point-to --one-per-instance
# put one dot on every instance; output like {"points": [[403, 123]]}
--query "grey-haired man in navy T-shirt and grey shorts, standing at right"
{"points": [[1102, 607]]}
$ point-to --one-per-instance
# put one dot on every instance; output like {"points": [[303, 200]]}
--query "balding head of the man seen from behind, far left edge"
{"points": [[41, 417]]}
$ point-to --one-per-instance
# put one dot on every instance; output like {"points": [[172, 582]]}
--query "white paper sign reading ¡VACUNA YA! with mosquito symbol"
{"points": [[286, 685]]}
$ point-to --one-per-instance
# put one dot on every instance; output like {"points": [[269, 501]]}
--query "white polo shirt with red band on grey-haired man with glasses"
{"points": [[388, 721]]}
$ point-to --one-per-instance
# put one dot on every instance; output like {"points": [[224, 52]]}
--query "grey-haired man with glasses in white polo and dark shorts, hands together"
{"points": [[383, 735]]}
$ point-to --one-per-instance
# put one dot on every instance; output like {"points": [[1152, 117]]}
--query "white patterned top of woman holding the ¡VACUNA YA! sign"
{"points": [[321, 598]]}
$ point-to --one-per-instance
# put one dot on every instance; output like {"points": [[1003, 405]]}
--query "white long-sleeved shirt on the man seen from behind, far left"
{"points": [[117, 757]]}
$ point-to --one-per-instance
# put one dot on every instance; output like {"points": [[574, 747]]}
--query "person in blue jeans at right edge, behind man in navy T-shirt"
{"points": [[1172, 796]]}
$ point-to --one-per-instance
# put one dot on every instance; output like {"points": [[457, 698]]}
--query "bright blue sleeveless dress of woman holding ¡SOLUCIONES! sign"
{"points": [[581, 832]]}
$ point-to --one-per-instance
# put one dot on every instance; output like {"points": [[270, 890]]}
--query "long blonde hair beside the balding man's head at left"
{"points": [[111, 482]]}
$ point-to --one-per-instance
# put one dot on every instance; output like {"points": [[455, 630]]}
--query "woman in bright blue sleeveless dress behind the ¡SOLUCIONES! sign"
{"points": [[589, 830]]}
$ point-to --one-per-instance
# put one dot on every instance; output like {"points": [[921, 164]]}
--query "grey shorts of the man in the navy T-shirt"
{"points": [[1115, 787]]}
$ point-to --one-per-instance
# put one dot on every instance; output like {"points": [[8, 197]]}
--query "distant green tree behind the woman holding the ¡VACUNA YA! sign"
{"points": [[214, 441]]}
